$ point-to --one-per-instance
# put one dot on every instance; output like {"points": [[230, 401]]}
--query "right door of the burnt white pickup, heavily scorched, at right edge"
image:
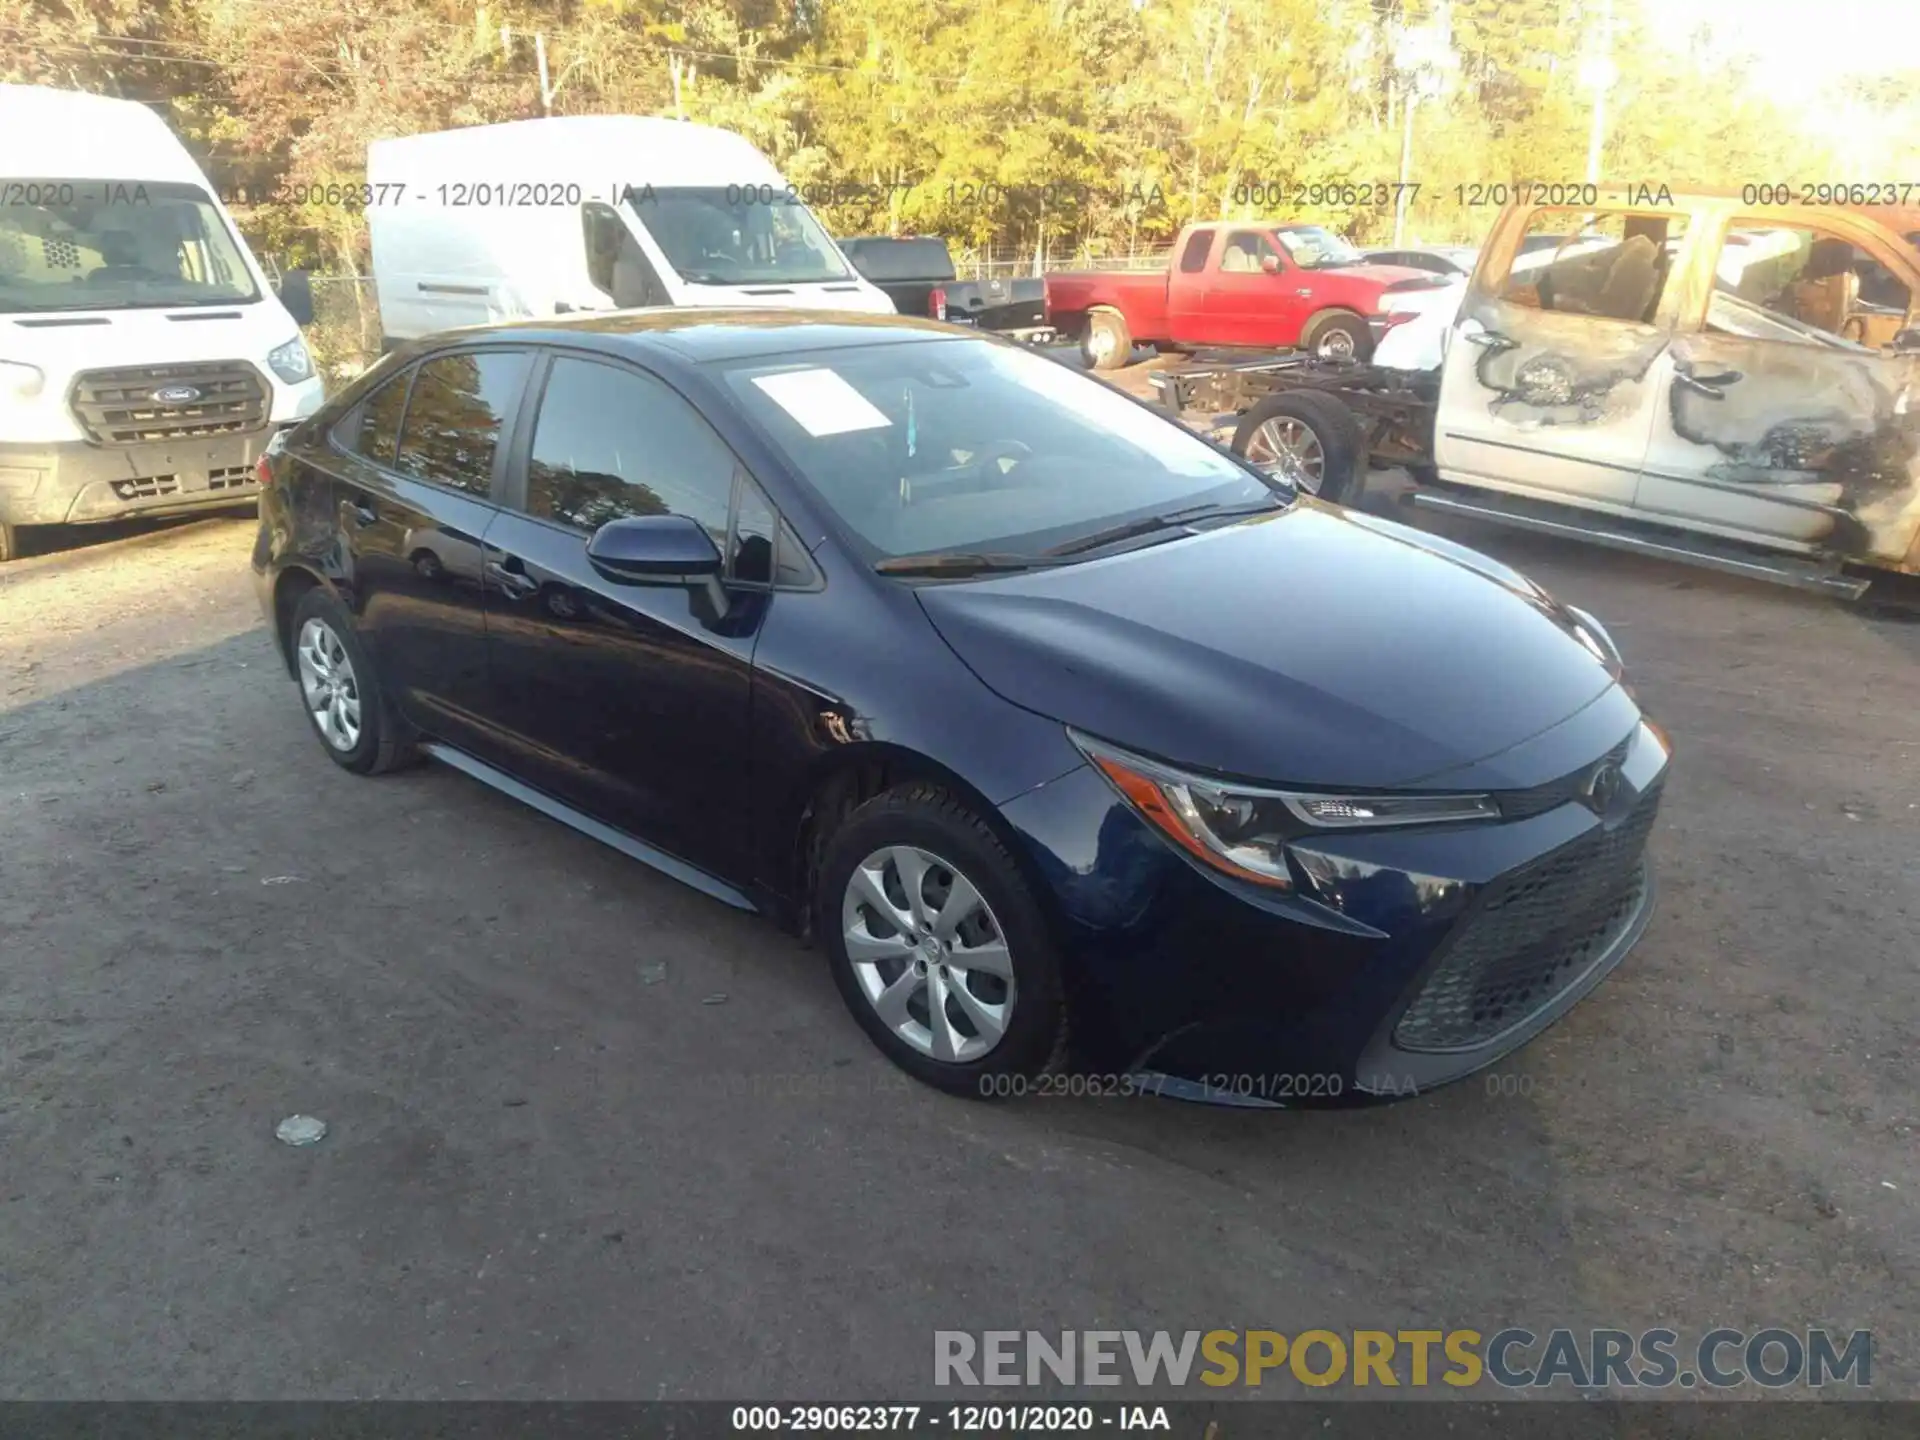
{"points": [[1788, 414]]}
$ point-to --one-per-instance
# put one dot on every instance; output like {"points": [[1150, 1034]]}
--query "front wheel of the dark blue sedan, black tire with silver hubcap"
{"points": [[924, 825]]}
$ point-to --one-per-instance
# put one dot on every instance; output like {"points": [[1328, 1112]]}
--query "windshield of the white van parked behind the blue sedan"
{"points": [[738, 235]]}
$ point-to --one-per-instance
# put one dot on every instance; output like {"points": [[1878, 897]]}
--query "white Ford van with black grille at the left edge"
{"points": [[145, 360]]}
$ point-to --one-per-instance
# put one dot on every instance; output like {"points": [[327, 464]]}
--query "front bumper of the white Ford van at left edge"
{"points": [[78, 483]]}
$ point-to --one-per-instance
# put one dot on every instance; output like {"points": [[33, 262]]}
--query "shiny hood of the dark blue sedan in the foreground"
{"points": [[1308, 648]]}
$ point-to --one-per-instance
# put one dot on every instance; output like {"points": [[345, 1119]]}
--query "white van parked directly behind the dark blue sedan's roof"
{"points": [[590, 212]]}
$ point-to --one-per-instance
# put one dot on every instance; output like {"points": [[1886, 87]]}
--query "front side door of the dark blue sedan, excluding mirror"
{"points": [[627, 702]]}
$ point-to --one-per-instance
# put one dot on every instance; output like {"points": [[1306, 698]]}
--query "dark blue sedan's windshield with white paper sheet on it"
{"points": [[944, 446]]}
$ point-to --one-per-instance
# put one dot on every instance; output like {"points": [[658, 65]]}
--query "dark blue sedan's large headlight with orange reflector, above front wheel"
{"points": [[1243, 830]]}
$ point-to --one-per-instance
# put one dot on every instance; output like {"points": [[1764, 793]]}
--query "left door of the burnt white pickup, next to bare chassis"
{"points": [[1554, 375]]}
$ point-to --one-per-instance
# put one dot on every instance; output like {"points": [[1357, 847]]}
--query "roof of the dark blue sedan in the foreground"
{"points": [[723, 335]]}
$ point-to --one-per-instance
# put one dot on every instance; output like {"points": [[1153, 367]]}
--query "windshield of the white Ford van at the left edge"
{"points": [[116, 245]]}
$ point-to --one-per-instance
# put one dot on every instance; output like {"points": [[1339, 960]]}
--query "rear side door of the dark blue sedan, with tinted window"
{"points": [[416, 496]]}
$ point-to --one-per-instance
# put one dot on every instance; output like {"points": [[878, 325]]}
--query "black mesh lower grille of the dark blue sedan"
{"points": [[1531, 936]]}
